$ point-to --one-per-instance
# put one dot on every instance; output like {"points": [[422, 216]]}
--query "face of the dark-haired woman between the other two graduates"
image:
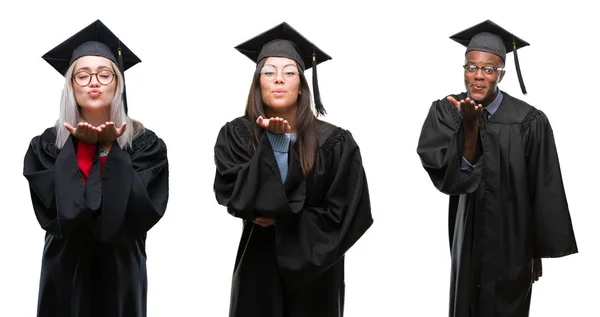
{"points": [[280, 83]]}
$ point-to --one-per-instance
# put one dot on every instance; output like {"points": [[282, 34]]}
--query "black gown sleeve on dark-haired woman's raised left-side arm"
{"points": [[249, 182]]}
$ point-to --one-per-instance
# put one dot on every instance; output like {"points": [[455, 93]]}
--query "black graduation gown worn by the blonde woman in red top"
{"points": [[94, 260]]}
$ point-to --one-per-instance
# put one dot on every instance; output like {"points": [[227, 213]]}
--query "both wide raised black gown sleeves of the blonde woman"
{"points": [[120, 204]]}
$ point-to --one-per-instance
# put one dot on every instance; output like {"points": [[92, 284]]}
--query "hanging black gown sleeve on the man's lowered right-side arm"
{"points": [[553, 230]]}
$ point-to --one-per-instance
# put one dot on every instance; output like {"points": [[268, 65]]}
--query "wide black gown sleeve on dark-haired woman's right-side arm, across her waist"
{"points": [[320, 234]]}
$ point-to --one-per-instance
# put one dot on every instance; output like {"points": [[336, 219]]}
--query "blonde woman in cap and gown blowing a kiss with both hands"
{"points": [[98, 181]]}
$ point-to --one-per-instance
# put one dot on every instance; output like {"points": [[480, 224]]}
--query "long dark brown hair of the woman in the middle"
{"points": [[305, 121]]}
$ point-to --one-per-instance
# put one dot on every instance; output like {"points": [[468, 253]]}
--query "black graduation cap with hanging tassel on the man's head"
{"points": [[489, 37]]}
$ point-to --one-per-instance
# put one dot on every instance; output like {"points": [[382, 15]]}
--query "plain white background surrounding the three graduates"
{"points": [[389, 63]]}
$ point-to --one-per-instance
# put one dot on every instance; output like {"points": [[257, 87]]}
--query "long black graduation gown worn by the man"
{"points": [[513, 208]]}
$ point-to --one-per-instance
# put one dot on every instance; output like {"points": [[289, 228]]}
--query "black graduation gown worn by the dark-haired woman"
{"points": [[295, 268]]}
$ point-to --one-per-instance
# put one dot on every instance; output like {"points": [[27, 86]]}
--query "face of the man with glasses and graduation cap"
{"points": [[480, 84]]}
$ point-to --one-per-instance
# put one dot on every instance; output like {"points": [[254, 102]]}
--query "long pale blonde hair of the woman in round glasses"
{"points": [[69, 111]]}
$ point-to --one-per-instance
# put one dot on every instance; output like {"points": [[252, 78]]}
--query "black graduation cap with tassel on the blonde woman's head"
{"points": [[94, 40]]}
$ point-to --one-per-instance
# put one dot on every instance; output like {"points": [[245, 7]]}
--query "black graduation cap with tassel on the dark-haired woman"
{"points": [[284, 41]]}
